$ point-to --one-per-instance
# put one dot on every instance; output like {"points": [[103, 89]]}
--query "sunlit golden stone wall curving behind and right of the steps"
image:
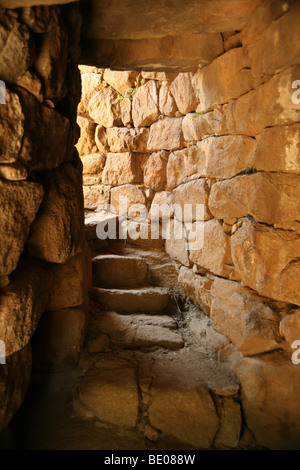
{"points": [[226, 136]]}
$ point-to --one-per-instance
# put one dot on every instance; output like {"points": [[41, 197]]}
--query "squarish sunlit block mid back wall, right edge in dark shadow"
{"points": [[122, 168]]}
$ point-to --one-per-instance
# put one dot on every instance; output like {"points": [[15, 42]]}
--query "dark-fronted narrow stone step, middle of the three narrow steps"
{"points": [[144, 299]]}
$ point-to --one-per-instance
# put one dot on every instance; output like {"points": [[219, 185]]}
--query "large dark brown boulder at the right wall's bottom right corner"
{"points": [[269, 392]]}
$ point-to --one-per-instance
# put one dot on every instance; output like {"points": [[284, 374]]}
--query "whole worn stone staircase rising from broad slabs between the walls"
{"points": [[144, 372]]}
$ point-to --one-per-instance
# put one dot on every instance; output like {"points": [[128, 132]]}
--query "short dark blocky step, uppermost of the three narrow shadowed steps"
{"points": [[115, 271]]}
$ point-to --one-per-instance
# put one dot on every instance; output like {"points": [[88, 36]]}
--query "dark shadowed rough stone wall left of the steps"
{"points": [[43, 271]]}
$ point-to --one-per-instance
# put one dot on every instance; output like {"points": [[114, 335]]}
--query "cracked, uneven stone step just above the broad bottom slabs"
{"points": [[138, 330]]}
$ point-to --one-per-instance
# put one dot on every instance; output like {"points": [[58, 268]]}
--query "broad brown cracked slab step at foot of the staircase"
{"points": [[183, 394]]}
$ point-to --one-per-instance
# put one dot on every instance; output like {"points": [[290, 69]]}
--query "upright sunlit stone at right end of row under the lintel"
{"points": [[184, 93]]}
